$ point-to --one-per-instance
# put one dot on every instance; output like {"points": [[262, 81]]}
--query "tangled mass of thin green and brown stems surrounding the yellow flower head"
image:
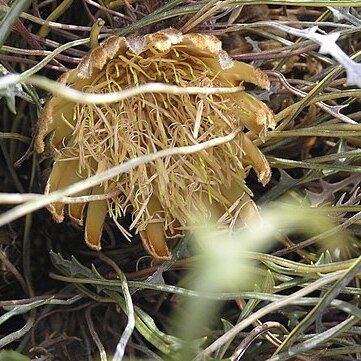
{"points": [[55, 307]]}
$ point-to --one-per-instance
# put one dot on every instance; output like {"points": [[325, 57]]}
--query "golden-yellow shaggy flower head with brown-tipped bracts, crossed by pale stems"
{"points": [[164, 195]]}
